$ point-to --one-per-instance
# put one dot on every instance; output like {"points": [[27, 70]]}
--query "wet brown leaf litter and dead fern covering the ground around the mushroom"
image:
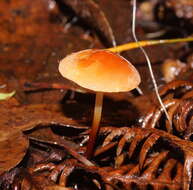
{"points": [[45, 120]]}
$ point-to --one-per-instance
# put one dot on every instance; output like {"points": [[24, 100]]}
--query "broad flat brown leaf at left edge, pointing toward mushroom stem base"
{"points": [[17, 118]]}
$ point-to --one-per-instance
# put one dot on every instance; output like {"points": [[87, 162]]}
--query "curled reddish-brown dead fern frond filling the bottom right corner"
{"points": [[159, 160]]}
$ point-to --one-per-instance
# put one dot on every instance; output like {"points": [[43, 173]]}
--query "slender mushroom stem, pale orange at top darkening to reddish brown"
{"points": [[95, 124]]}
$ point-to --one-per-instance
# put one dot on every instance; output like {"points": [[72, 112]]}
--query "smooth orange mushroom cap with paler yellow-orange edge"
{"points": [[100, 70]]}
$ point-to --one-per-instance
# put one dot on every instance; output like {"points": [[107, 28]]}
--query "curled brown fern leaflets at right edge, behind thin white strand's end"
{"points": [[177, 98]]}
